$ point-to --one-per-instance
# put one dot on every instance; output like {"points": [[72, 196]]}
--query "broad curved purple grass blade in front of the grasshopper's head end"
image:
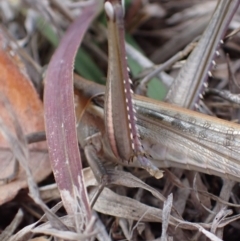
{"points": [[60, 117]]}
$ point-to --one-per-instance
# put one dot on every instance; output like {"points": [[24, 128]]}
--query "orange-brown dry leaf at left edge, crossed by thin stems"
{"points": [[17, 88]]}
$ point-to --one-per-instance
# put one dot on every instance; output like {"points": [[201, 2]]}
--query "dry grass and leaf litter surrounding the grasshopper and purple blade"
{"points": [[30, 31]]}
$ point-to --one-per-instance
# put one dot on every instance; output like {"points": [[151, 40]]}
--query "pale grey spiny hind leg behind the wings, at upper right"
{"points": [[190, 83]]}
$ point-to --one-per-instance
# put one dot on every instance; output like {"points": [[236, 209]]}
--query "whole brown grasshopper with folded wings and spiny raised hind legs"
{"points": [[138, 131]]}
